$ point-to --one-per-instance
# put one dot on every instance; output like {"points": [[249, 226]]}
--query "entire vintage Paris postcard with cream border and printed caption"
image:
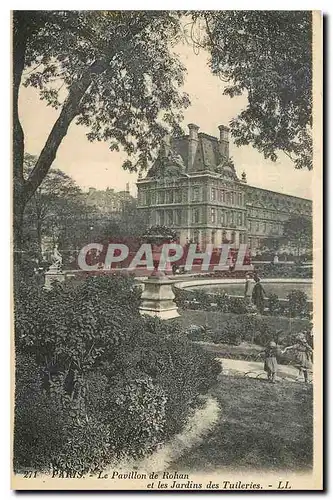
{"points": [[167, 250]]}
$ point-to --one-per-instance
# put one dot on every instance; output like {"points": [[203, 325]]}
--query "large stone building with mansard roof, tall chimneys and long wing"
{"points": [[193, 187]]}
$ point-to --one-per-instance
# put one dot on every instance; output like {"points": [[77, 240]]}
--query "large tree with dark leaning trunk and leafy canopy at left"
{"points": [[111, 71]]}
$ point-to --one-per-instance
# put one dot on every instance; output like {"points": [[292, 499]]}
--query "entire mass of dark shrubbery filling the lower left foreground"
{"points": [[109, 382]]}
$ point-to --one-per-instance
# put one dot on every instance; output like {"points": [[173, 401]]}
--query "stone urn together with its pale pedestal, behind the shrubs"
{"points": [[157, 298]]}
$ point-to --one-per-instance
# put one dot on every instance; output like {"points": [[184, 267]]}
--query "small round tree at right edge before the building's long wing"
{"points": [[298, 232]]}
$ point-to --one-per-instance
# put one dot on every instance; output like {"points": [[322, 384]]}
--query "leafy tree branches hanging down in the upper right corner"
{"points": [[268, 56]]}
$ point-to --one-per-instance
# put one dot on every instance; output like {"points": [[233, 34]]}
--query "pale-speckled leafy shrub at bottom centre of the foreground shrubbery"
{"points": [[131, 409]]}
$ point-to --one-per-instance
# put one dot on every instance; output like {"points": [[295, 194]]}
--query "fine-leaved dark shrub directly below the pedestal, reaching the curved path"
{"points": [[181, 369]]}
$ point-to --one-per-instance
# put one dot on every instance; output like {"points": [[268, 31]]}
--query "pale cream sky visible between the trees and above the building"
{"points": [[94, 165]]}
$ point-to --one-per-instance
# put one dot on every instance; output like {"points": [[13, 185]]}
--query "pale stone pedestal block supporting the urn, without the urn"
{"points": [[158, 297]]}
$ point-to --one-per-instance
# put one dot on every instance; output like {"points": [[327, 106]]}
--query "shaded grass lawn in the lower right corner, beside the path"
{"points": [[262, 426]]}
